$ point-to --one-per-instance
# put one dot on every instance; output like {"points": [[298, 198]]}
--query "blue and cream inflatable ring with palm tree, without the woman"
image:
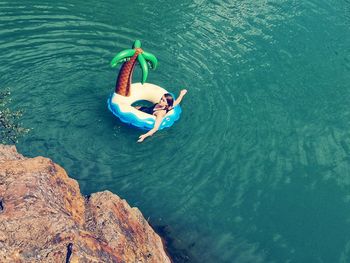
{"points": [[126, 93]]}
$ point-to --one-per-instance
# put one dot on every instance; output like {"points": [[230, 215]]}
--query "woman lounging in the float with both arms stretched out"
{"points": [[159, 110]]}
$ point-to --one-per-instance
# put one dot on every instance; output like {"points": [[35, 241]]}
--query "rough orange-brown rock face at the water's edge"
{"points": [[44, 218]]}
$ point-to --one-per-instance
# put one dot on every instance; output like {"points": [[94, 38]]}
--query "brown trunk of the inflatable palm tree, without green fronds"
{"points": [[122, 86]]}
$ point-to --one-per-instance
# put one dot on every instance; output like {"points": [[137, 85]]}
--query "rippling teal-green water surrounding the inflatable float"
{"points": [[257, 169]]}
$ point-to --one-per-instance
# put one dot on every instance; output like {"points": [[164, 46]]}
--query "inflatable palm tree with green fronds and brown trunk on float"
{"points": [[129, 57]]}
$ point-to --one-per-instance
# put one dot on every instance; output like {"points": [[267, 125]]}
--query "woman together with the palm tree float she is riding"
{"points": [[162, 114]]}
